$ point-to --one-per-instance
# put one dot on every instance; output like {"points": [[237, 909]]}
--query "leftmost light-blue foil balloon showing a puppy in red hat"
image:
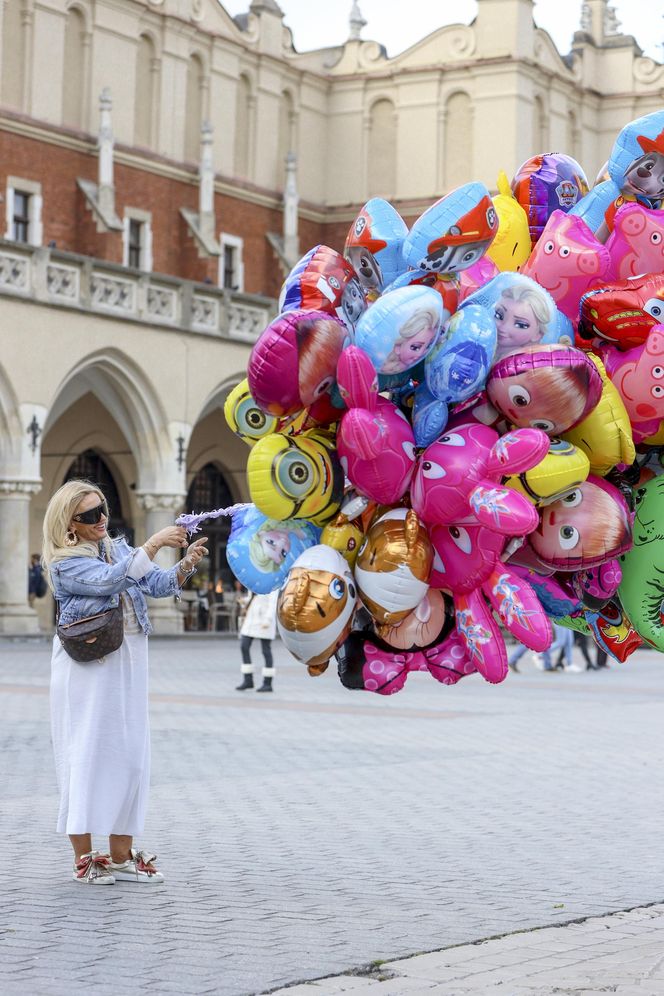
{"points": [[374, 246]]}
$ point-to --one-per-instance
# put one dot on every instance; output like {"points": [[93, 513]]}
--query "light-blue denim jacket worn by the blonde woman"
{"points": [[84, 586]]}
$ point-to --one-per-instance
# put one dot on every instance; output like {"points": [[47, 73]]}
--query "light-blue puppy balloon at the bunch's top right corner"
{"points": [[636, 170]]}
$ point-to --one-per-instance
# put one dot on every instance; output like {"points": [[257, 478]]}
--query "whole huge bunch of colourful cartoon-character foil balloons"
{"points": [[443, 420]]}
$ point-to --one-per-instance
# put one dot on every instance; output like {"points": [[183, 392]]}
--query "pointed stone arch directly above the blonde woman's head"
{"points": [[123, 389]]}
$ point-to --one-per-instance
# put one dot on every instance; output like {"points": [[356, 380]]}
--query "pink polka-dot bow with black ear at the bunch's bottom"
{"points": [[366, 662]]}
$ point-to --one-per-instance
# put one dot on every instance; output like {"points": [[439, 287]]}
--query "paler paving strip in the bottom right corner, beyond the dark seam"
{"points": [[622, 954]]}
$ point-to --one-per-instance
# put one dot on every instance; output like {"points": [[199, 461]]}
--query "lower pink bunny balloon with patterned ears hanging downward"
{"points": [[468, 564]]}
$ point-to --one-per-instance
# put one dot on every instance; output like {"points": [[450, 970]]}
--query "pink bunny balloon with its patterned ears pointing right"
{"points": [[461, 474]]}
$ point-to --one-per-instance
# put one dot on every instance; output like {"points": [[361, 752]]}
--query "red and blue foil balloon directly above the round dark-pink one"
{"points": [[324, 281]]}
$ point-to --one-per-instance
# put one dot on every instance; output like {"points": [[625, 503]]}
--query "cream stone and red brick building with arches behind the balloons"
{"points": [[150, 215]]}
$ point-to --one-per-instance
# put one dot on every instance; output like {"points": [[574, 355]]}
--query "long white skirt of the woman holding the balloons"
{"points": [[101, 739]]}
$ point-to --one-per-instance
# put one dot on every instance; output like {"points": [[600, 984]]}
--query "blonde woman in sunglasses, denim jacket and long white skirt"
{"points": [[99, 710]]}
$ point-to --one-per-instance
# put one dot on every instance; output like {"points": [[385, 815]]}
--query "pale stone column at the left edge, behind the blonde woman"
{"points": [[16, 616]]}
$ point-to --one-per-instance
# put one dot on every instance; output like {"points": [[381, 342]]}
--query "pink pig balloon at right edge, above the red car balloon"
{"points": [[636, 244]]}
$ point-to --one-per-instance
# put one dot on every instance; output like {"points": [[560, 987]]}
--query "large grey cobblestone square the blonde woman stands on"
{"points": [[313, 831]]}
